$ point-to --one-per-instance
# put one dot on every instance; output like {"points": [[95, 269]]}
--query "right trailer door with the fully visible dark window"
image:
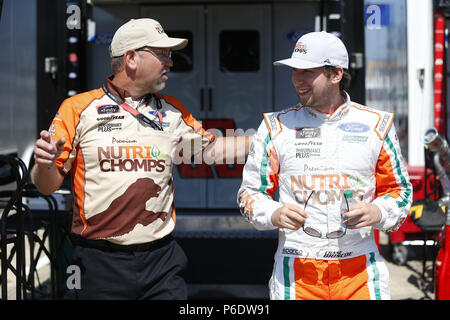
{"points": [[239, 78]]}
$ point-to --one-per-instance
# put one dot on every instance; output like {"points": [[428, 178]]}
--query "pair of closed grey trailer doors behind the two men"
{"points": [[223, 77]]}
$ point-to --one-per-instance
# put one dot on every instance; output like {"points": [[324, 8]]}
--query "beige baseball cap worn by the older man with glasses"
{"points": [[138, 33]]}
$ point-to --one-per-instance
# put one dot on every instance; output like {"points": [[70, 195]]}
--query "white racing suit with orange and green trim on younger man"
{"points": [[305, 153]]}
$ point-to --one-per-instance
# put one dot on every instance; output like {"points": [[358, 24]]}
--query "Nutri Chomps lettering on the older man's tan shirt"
{"points": [[131, 158]]}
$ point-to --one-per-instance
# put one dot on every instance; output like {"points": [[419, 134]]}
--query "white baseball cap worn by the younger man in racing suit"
{"points": [[317, 49]]}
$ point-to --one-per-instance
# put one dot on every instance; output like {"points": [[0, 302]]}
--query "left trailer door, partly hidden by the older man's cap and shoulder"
{"points": [[186, 83]]}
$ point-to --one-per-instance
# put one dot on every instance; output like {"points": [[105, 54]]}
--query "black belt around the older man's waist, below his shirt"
{"points": [[110, 246]]}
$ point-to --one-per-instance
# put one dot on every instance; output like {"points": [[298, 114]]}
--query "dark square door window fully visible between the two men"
{"points": [[239, 51]]}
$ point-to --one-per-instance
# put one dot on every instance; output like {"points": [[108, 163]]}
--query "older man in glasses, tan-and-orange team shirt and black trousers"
{"points": [[120, 154]]}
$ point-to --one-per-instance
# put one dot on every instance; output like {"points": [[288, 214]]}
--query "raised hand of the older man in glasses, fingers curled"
{"points": [[46, 150]]}
